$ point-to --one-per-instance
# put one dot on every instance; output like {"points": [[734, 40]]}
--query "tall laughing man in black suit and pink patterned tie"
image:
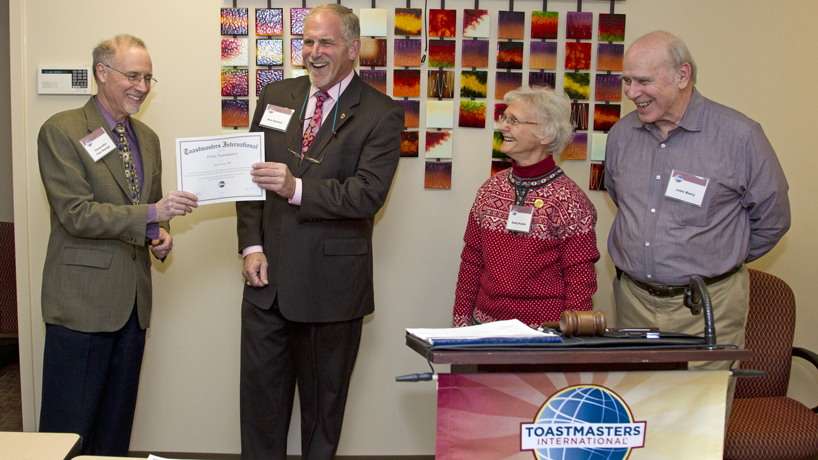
{"points": [[308, 248]]}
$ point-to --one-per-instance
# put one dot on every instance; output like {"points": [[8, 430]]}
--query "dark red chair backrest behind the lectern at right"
{"points": [[769, 334]]}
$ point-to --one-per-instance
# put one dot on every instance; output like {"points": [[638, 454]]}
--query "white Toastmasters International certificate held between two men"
{"points": [[217, 168]]}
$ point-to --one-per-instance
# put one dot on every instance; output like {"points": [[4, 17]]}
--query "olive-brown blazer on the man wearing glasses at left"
{"points": [[96, 260]]}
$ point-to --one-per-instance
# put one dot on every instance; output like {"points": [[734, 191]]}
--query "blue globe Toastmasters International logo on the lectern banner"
{"points": [[583, 422]]}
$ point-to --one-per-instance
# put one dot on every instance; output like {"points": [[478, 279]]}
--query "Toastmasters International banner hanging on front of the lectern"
{"points": [[582, 416]]}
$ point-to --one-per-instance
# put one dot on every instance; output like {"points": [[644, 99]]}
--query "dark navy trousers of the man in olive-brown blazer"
{"points": [[90, 382]]}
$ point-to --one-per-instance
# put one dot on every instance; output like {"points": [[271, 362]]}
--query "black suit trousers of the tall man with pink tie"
{"points": [[277, 354]]}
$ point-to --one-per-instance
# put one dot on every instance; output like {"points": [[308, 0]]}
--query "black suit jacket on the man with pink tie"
{"points": [[320, 253]]}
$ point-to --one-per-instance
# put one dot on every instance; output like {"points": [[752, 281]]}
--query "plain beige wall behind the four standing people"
{"points": [[188, 400]]}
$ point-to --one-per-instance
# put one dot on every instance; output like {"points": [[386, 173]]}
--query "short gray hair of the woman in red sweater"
{"points": [[553, 112]]}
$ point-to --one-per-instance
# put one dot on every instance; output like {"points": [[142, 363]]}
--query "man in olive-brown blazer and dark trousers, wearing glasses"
{"points": [[102, 172]]}
